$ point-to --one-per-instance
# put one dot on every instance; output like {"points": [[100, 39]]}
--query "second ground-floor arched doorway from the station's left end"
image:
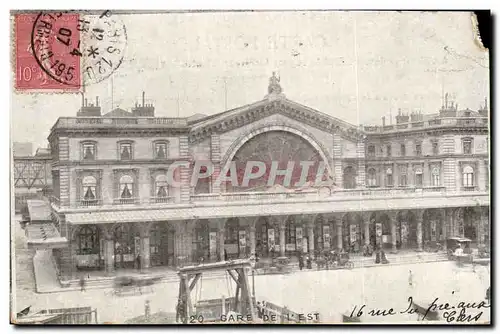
{"points": [[126, 246]]}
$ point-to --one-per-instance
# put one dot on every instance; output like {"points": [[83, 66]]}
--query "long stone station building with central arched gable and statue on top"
{"points": [[407, 185]]}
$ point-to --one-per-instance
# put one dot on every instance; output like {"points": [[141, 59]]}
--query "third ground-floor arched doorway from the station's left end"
{"points": [[161, 244]]}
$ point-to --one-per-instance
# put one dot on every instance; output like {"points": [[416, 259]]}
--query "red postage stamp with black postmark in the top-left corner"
{"points": [[43, 58]]}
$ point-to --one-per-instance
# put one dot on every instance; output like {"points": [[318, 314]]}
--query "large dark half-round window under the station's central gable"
{"points": [[280, 148]]}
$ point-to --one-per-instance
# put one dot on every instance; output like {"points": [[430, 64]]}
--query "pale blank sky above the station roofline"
{"points": [[356, 66]]}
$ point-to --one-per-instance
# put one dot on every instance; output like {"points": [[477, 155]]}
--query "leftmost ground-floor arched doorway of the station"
{"points": [[88, 249]]}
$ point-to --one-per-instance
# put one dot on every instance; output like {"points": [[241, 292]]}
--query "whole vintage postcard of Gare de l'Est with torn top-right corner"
{"points": [[249, 167]]}
